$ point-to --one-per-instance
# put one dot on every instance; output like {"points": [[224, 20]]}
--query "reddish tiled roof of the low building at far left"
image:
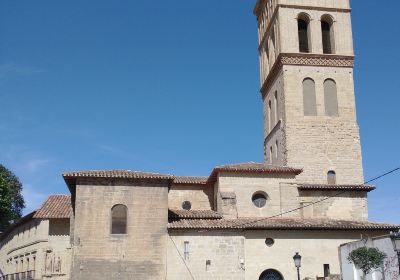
{"points": [[55, 207]]}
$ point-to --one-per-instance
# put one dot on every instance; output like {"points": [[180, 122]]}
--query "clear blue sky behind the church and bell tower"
{"points": [[166, 86]]}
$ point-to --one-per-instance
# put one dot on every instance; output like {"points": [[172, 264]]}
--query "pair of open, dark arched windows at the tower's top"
{"points": [[303, 28]]}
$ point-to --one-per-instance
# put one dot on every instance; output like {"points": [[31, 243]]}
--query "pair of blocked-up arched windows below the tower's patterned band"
{"points": [[310, 98]]}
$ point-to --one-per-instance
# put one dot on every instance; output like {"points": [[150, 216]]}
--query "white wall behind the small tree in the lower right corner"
{"points": [[390, 269]]}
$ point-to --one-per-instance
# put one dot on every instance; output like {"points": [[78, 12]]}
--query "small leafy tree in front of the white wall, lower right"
{"points": [[367, 259]]}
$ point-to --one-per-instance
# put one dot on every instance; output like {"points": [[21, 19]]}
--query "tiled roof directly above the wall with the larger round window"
{"points": [[252, 167]]}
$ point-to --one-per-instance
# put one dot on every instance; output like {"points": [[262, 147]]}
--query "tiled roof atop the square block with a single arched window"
{"points": [[116, 174]]}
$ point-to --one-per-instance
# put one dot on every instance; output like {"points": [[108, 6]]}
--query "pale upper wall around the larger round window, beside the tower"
{"points": [[245, 185]]}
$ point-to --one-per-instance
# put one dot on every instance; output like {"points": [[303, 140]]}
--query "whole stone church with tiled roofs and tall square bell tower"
{"points": [[246, 220]]}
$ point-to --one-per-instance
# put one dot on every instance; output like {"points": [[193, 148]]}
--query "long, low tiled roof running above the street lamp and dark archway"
{"points": [[279, 224]]}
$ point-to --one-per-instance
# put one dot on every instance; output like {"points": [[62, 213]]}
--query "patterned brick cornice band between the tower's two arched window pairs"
{"points": [[303, 59]]}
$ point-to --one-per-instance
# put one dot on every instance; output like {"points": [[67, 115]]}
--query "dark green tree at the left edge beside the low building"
{"points": [[11, 200]]}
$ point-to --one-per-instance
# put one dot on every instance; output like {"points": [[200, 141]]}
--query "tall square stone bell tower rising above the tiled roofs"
{"points": [[306, 72]]}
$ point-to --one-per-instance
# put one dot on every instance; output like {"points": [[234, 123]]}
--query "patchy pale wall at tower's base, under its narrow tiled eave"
{"points": [[347, 206]]}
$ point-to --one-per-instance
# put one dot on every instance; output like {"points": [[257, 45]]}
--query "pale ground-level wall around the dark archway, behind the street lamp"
{"points": [[316, 248]]}
